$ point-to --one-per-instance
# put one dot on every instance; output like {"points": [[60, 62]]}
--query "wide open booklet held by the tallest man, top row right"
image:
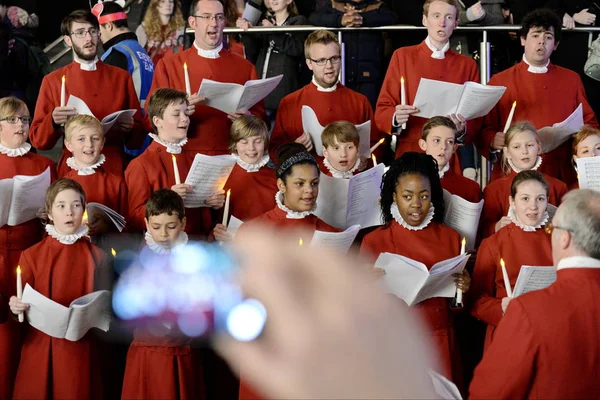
{"points": [[471, 100]]}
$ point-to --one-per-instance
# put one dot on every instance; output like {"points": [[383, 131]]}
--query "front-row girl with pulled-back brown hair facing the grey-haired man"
{"points": [[522, 242]]}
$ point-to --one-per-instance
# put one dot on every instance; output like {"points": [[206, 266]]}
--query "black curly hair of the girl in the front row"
{"points": [[412, 163]]}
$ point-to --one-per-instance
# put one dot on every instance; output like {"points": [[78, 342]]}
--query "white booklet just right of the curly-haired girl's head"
{"points": [[462, 216]]}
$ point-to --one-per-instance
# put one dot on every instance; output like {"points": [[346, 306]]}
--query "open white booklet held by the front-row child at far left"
{"points": [[72, 323]]}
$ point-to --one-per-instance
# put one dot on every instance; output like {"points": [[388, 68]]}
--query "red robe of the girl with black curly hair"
{"points": [[434, 243]]}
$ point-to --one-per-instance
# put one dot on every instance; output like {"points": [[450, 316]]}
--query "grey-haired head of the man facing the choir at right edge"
{"points": [[580, 213]]}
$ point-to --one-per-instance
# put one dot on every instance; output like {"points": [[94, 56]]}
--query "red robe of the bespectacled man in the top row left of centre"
{"points": [[208, 132]]}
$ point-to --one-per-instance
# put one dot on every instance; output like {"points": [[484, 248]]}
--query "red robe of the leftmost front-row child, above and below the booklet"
{"points": [[52, 368]]}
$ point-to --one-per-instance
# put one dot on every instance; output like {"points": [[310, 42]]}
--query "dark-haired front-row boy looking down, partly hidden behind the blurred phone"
{"points": [[162, 367]]}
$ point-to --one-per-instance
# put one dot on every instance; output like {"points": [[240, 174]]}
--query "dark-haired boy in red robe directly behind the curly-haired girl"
{"points": [[438, 139]]}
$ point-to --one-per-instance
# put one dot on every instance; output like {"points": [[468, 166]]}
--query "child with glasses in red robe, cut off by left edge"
{"points": [[15, 159]]}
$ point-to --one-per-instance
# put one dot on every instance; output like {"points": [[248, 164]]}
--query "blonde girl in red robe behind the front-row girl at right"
{"points": [[521, 152]]}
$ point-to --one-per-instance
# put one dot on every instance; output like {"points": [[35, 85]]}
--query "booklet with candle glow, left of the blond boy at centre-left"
{"points": [[207, 176]]}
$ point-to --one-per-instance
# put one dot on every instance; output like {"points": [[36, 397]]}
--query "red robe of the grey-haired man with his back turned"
{"points": [[547, 344]]}
